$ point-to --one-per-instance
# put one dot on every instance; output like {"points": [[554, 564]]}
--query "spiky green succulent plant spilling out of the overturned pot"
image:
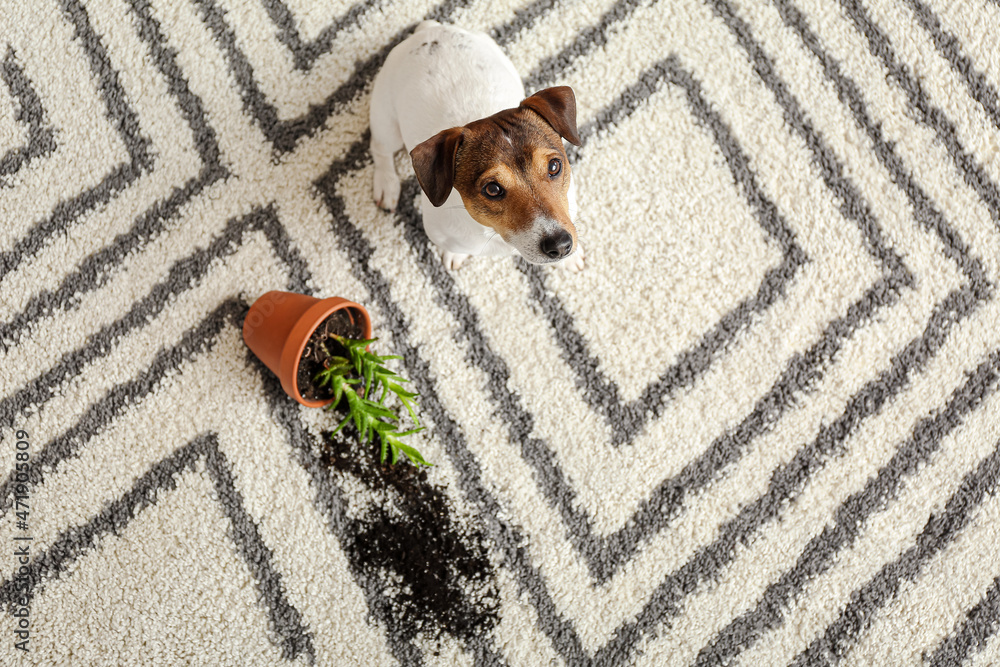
{"points": [[357, 377]]}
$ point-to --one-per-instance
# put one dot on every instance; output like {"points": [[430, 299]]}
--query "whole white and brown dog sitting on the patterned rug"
{"points": [[491, 163]]}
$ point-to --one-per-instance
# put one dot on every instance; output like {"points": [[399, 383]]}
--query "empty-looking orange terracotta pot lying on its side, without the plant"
{"points": [[279, 325]]}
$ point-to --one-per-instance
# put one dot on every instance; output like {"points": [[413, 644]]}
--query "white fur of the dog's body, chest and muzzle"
{"points": [[441, 77]]}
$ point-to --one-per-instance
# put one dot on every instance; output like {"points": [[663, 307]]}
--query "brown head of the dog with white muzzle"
{"points": [[512, 172]]}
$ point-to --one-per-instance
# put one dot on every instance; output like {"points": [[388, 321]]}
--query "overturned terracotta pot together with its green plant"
{"points": [[318, 348]]}
